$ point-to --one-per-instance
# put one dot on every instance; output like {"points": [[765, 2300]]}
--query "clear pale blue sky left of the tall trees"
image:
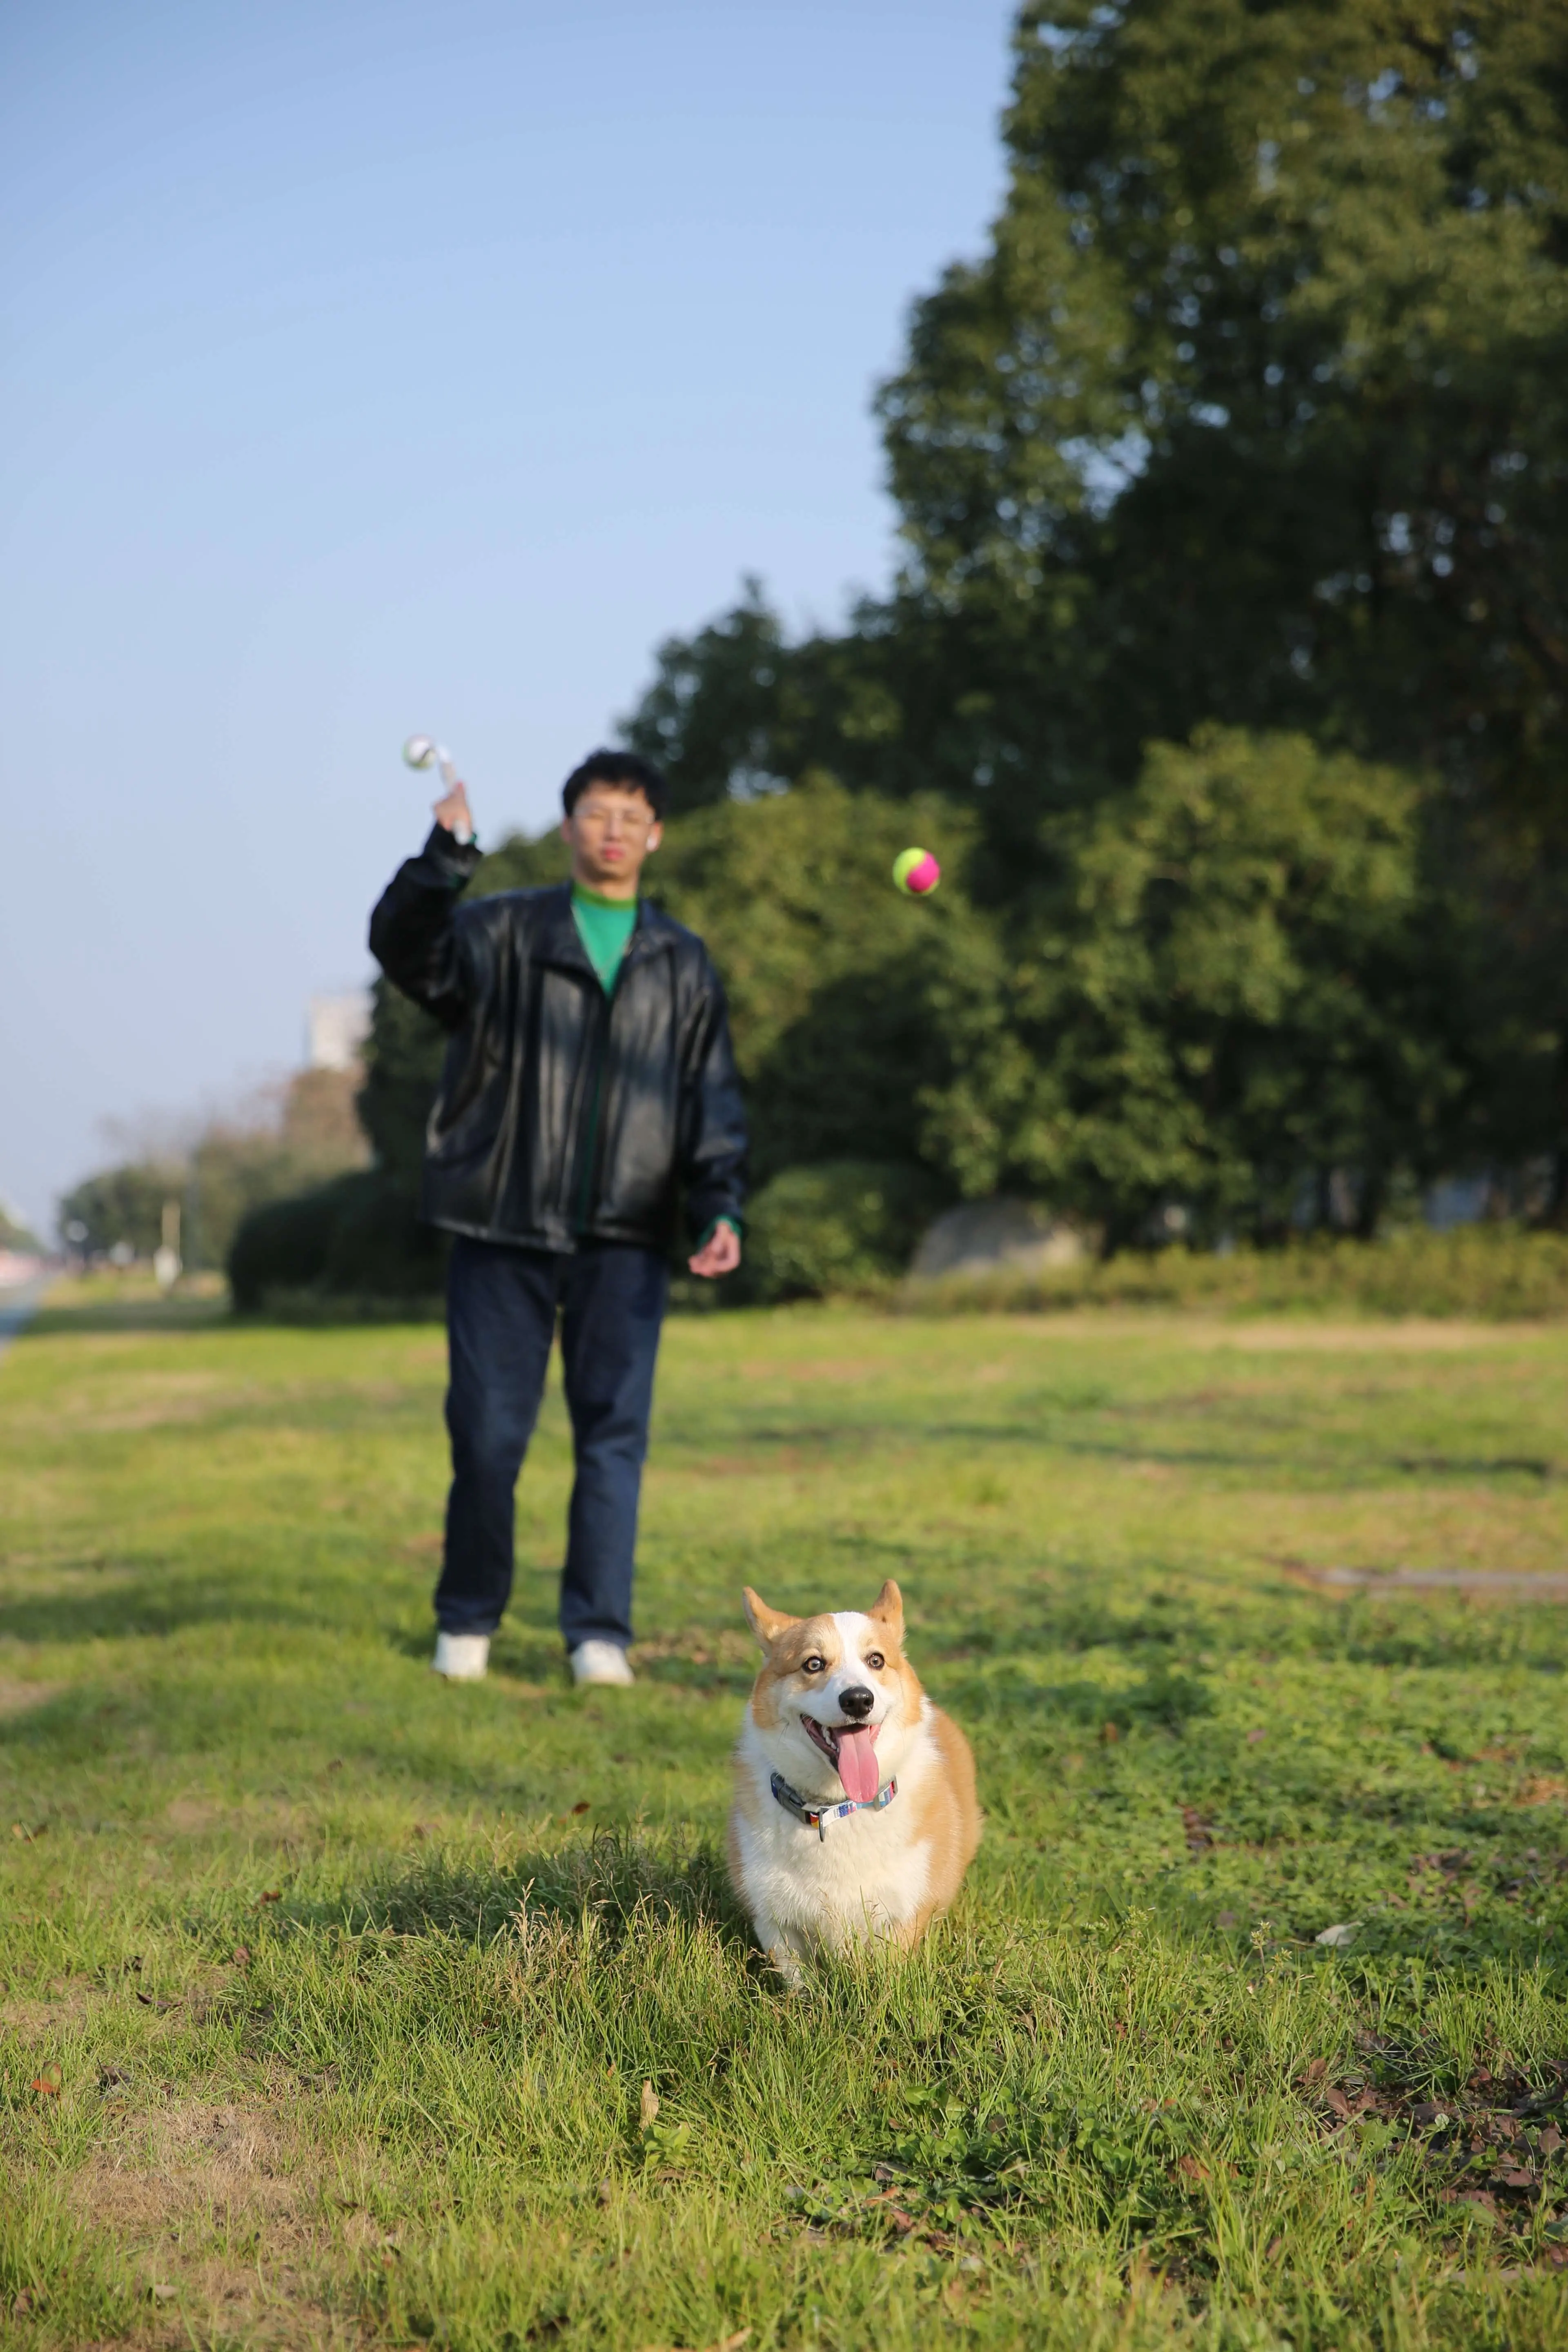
{"points": [[403, 368]]}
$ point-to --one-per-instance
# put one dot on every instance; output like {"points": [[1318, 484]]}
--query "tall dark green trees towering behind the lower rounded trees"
{"points": [[1254, 413]]}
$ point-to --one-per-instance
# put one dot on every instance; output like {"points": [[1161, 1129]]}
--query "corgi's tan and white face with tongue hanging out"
{"points": [[836, 1699]]}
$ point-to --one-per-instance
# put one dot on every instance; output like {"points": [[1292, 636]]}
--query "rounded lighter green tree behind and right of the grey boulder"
{"points": [[1233, 989]]}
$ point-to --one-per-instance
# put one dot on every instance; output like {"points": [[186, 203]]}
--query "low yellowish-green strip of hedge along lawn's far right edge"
{"points": [[1485, 1271]]}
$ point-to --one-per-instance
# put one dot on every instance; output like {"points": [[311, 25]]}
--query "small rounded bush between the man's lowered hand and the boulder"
{"points": [[838, 1227]]}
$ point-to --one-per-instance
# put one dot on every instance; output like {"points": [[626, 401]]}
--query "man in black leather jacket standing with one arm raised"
{"points": [[589, 1083]]}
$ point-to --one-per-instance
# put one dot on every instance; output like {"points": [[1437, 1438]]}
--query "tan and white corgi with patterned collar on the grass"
{"points": [[855, 1815]]}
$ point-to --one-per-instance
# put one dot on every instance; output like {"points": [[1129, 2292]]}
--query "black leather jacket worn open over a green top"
{"points": [[563, 1114]]}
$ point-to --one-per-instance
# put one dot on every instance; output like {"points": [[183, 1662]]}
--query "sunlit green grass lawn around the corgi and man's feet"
{"points": [[330, 1993]]}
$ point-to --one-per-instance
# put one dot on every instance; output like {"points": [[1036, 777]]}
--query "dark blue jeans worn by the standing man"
{"points": [[500, 1325]]}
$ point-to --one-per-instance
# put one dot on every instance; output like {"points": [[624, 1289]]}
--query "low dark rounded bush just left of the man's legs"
{"points": [[356, 1236]]}
